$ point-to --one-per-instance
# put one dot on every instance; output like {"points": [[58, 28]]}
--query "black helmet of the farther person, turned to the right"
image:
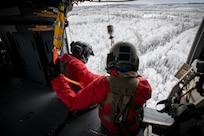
{"points": [[81, 50]]}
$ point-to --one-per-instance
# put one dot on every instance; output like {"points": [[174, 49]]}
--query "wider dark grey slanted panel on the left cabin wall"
{"points": [[29, 55]]}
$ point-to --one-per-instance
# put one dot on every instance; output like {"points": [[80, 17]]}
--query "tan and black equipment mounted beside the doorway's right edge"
{"points": [[174, 105]]}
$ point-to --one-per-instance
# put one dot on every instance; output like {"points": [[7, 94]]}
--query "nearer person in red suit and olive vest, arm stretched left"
{"points": [[122, 66]]}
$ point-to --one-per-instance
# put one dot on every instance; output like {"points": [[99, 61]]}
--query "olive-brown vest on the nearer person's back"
{"points": [[122, 95]]}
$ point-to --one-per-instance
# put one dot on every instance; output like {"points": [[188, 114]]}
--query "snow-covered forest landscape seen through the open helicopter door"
{"points": [[163, 35]]}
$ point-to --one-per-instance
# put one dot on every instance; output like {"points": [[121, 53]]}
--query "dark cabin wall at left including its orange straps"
{"points": [[27, 34]]}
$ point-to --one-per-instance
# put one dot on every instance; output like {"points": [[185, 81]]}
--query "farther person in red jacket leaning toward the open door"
{"points": [[74, 68]]}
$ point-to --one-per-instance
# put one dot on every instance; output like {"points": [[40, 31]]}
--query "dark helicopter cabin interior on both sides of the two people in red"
{"points": [[28, 104]]}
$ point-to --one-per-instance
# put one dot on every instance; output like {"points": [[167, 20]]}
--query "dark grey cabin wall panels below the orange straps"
{"points": [[34, 49]]}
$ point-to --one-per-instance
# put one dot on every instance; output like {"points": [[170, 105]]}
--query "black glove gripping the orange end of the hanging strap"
{"points": [[54, 70]]}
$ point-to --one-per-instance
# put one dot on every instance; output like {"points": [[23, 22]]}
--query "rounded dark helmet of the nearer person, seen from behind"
{"points": [[123, 57]]}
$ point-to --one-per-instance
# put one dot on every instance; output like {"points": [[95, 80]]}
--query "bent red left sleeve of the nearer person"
{"points": [[94, 93]]}
